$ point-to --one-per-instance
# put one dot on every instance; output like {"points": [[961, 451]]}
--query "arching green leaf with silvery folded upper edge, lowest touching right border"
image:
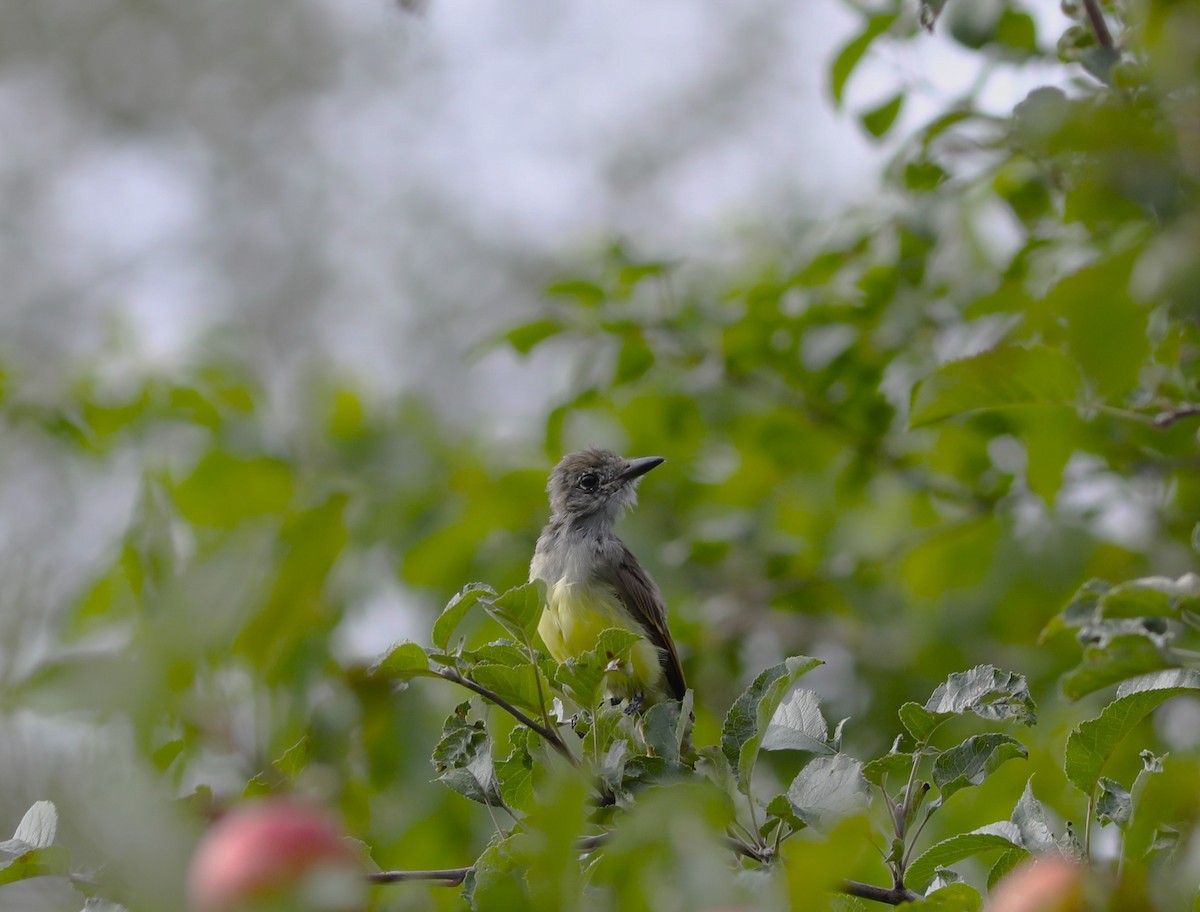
{"points": [[1091, 745]]}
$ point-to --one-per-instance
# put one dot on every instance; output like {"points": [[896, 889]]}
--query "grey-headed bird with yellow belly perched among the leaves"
{"points": [[595, 583]]}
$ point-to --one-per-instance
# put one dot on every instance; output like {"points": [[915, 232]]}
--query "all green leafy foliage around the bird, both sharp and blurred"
{"points": [[915, 440]]}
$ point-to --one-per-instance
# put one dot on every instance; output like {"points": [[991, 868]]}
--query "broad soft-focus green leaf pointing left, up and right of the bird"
{"points": [[1005, 377]]}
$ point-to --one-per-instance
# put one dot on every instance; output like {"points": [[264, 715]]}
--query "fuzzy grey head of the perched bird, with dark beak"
{"points": [[597, 484]]}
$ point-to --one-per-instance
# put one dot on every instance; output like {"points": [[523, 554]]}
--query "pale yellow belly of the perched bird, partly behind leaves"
{"points": [[572, 623]]}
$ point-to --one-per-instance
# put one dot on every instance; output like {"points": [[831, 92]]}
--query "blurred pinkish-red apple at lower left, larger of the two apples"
{"points": [[274, 855]]}
